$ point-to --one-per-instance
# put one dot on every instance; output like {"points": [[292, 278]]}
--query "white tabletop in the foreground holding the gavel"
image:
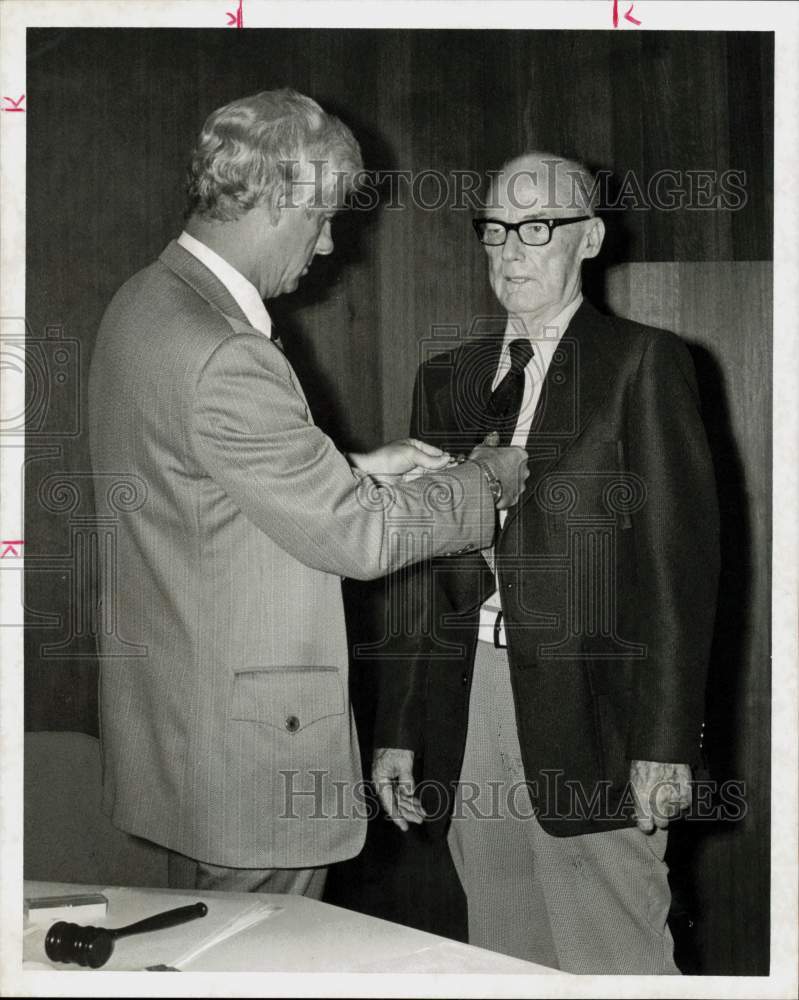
{"points": [[300, 935]]}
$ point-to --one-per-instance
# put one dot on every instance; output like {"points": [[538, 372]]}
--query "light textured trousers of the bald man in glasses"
{"points": [[594, 903]]}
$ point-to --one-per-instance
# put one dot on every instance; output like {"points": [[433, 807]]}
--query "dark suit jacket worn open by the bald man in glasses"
{"points": [[608, 571]]}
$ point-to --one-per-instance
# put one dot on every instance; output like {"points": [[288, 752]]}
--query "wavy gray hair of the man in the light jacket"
{"points": [[248, 150]]}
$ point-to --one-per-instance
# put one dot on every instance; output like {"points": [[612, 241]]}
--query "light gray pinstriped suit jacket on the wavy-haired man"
{"points": [[231, 740]]}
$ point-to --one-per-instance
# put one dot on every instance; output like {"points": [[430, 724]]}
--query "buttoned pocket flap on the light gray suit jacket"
{"points": [[289, 698]]}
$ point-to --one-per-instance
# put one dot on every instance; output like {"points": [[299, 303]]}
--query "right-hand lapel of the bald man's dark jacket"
{"points": [[575, 384]]}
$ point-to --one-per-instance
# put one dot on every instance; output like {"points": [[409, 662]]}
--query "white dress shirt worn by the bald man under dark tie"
{"points": [[545, 342]]}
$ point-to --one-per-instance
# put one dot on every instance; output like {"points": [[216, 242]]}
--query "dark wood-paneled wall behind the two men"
{"points": [[112, 116]]}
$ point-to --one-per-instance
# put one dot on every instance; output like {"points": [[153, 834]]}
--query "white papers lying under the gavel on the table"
{"points": [[173, 946]]}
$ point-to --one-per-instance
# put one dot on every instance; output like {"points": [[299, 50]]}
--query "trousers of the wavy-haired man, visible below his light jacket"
{"points": [[186, 873]]}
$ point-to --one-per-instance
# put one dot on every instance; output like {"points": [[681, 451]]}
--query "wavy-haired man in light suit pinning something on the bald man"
{"points": [[230, 740]]}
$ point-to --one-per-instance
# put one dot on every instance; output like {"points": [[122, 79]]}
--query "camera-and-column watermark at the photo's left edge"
{"points": [[50, 414]]}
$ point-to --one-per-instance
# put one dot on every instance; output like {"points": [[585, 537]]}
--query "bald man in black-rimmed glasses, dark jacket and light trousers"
{"points": [[550, 695]]}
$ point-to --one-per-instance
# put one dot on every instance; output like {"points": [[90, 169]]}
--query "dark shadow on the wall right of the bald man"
{"points": [[725, 715]]}
